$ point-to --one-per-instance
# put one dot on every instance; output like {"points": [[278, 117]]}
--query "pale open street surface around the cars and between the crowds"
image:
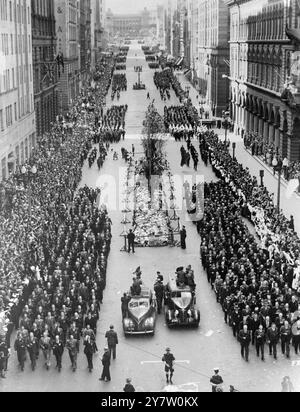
{"points": [[203, 349]]}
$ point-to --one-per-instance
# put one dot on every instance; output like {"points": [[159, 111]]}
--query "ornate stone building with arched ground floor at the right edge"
{"points": [[265, 82]]}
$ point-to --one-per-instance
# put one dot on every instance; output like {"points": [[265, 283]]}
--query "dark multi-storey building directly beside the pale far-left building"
{"points": [[44, 64]]}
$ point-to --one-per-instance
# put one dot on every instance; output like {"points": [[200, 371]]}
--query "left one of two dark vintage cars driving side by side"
{"points": [[140, 318]]}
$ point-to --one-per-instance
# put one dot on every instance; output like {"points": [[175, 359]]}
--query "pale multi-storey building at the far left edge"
{"points": [[17, 119]]}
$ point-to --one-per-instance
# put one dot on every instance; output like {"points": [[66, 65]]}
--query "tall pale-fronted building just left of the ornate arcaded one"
{"points": [[210, 51]]}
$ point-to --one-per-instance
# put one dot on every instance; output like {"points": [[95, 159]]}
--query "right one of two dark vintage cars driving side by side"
{"points": [[180, 305]]}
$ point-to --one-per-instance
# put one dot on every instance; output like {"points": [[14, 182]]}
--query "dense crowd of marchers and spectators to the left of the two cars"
{"points": [[54, 243]]}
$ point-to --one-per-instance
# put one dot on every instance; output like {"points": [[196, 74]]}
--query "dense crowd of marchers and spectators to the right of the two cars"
{"points": [[254, 282]]}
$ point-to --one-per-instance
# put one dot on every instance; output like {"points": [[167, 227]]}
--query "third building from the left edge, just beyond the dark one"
{"points": [[67, 28]]}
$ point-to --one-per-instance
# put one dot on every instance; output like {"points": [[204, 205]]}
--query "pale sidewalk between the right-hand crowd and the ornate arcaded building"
{"points": [[289, 205]]}
